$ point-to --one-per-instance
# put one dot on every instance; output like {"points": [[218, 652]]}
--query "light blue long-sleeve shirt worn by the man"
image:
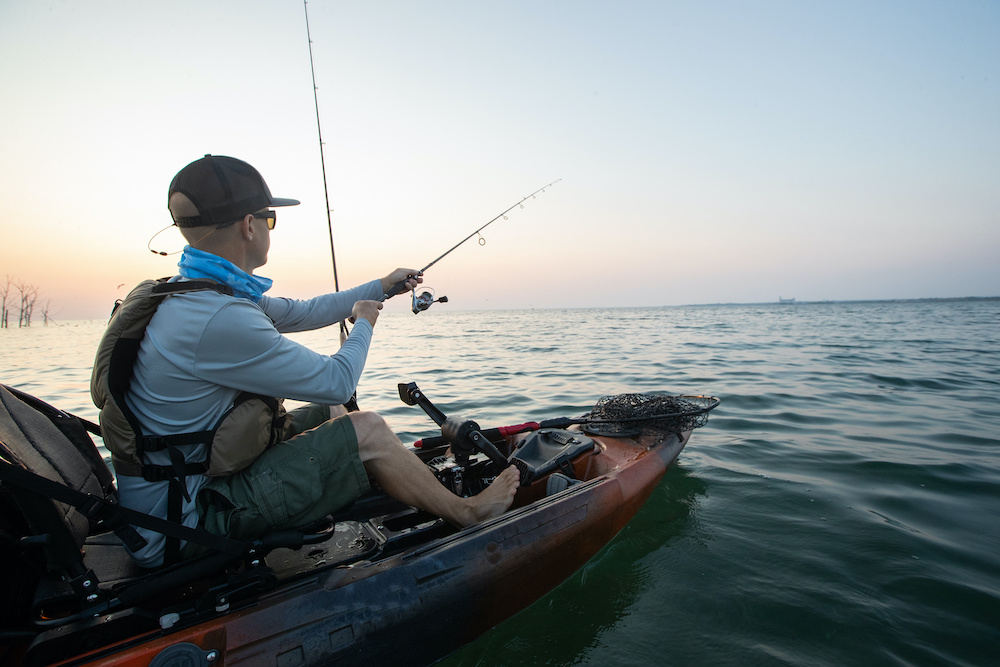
{"points": [[203, 348]]}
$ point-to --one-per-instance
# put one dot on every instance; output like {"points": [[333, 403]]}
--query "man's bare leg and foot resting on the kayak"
{"points": [[405, 477]]}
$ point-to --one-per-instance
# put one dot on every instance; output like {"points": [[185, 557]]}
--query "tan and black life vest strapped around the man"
{"points": [[250, 426]]}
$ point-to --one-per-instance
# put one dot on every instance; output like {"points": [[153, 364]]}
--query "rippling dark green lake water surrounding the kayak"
{"points": [[842, 506]]}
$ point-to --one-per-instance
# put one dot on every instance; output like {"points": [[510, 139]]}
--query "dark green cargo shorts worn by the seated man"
{"points": [[297, 482]]}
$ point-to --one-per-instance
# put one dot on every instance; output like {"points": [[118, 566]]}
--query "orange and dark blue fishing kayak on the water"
{"points": [[378, 583]]}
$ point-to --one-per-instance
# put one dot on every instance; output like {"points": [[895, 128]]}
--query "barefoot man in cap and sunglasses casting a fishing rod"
{"points": [[203, 351]]}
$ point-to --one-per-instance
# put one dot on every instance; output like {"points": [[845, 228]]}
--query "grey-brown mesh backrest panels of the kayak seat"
{"points": [[33, 442]]}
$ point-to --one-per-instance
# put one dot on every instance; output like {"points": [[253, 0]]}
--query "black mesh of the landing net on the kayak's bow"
{"points": [[643, 413]]}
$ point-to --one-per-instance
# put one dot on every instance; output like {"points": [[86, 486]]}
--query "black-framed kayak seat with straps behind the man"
{"points": [[64, 558]]}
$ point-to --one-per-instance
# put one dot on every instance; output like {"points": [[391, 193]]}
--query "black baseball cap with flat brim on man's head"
{"points": [[223, 189]]}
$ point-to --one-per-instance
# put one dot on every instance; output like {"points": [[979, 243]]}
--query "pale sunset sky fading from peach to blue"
{"points": [[709, 152]]}
